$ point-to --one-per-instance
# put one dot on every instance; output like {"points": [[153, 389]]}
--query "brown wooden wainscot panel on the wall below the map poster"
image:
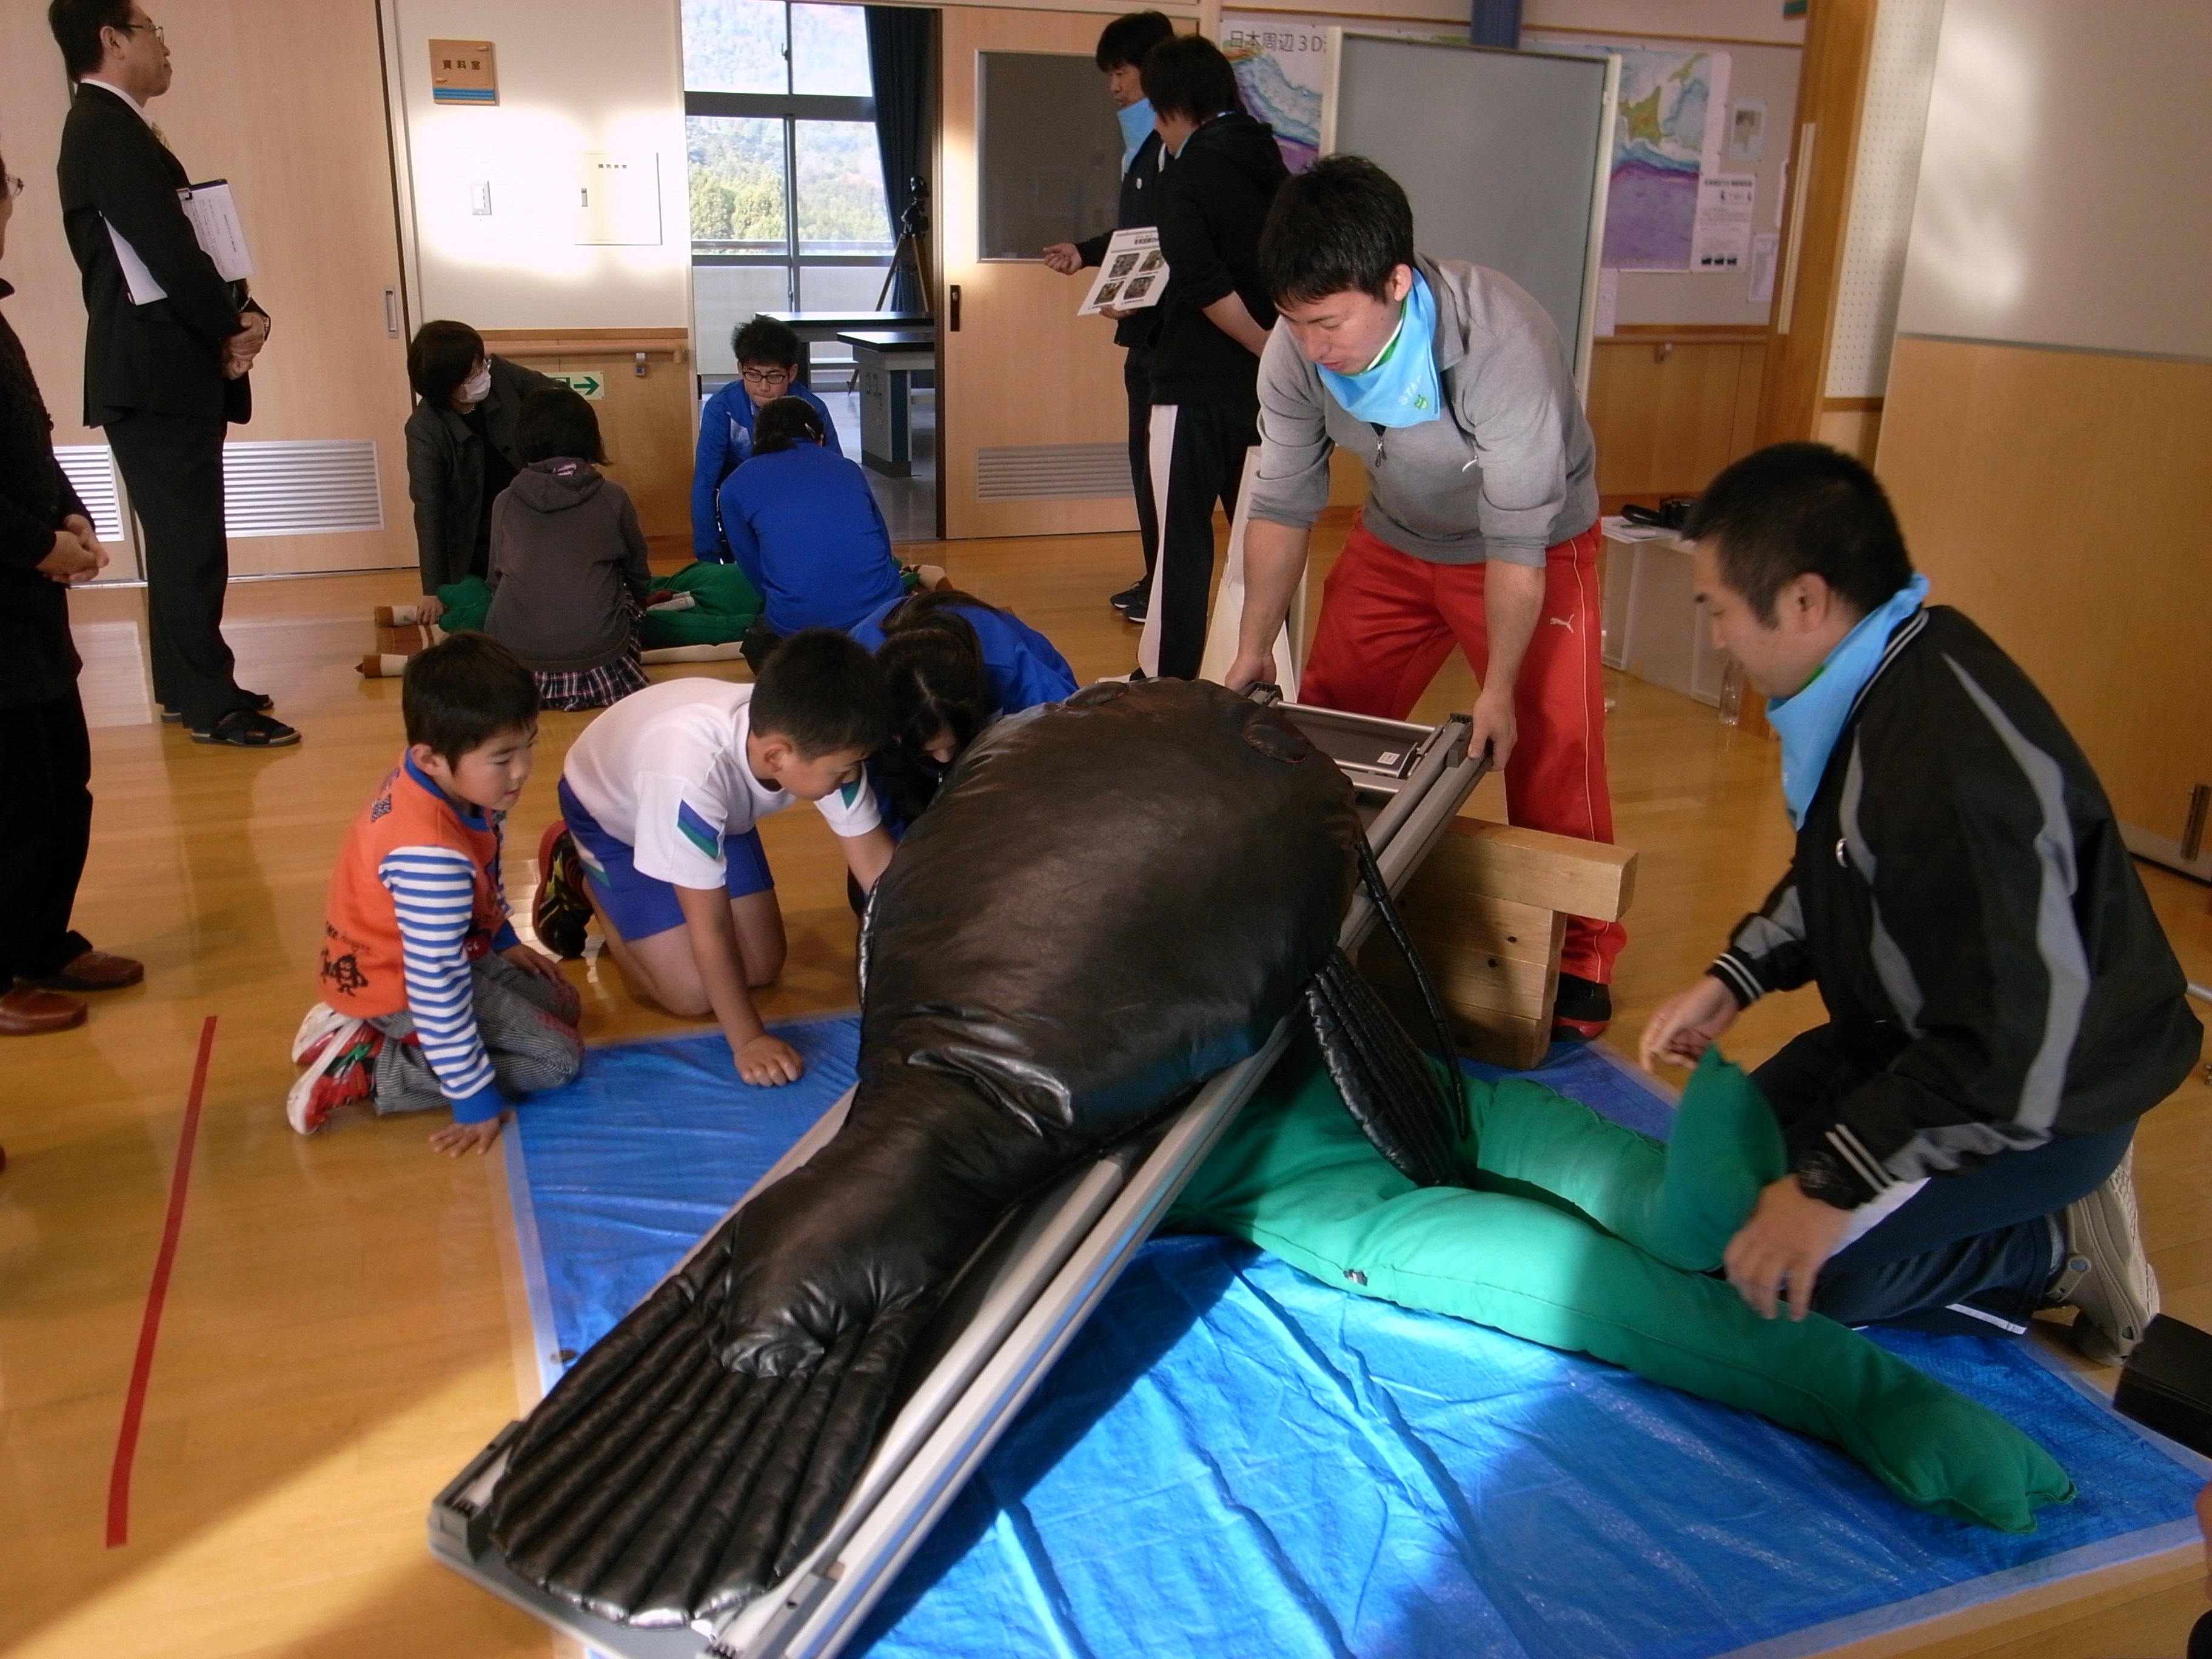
{"points": [[1671, 408]]}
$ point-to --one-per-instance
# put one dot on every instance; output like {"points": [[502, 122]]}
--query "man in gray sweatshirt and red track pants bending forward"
{"points": [[1481, 521]]}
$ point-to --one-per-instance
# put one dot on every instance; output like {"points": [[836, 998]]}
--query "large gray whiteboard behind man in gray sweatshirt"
{"points": [[1503, 154]]}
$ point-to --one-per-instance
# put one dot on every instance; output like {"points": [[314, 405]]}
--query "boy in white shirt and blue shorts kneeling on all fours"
{"points": [[658, 844]]}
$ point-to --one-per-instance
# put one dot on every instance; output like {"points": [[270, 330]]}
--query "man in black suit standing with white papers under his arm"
{"points": [[163, 377]]}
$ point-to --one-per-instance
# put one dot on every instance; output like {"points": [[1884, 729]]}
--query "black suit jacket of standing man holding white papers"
{"points": [[165, 357]]}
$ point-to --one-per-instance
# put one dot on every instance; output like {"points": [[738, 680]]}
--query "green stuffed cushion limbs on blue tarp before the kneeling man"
{"points": [[1297, 1178]]}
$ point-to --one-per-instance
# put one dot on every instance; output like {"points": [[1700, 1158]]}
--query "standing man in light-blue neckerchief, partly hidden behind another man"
{"points": [[1120, 59]]}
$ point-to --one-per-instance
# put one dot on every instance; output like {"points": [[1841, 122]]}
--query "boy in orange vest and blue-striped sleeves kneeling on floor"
{"points": [[428, 994]]}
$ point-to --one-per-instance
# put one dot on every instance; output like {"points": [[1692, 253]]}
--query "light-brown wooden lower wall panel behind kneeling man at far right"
{"points": [[2058, 501]]}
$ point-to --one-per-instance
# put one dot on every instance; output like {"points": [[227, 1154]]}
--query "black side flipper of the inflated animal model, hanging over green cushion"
{"points": [[1399, 1100]]}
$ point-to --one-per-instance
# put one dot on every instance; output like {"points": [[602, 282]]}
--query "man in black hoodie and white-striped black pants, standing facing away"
{"points": [[1215, 191]]}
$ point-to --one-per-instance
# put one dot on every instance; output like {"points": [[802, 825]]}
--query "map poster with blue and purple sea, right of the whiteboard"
{"points": [[1667, 134]]}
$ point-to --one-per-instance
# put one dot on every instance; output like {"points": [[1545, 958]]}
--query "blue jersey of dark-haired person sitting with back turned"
{"points": [[808, 534]]}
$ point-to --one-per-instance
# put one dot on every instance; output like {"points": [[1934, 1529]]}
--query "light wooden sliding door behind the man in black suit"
{"points": [[311, 163]]}
